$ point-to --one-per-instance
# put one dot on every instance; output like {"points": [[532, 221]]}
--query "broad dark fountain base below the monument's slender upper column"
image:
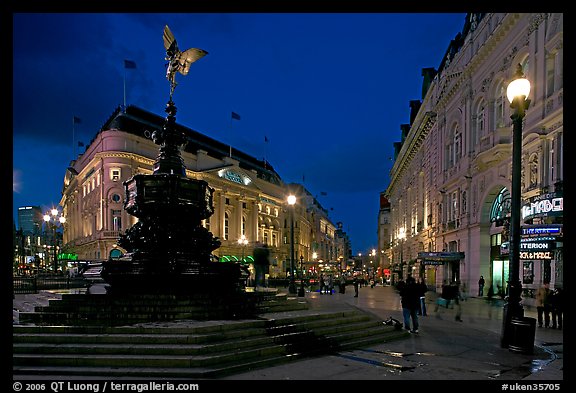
{"points": [[169, 251]]}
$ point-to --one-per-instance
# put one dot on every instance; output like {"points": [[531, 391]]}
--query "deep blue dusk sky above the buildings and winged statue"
{"points": [[329, 91]]}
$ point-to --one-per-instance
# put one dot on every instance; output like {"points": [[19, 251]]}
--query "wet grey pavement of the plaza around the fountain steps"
{"points": [[444, 349]]}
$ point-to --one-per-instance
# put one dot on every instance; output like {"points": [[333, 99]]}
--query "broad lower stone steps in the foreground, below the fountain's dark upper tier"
{"points": [[204, 349]]}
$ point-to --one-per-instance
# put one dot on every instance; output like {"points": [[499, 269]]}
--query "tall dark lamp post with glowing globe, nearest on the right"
{"points": [[517, 93]]}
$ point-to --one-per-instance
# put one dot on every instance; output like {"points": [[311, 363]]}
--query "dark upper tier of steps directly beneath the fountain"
{"points": [[108, 310]]}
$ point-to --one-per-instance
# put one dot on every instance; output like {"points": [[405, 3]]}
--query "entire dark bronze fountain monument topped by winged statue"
{"points": [[168, 250]]}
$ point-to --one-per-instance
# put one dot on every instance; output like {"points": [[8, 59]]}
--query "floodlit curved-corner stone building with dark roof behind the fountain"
{"points": [[250, 198]]}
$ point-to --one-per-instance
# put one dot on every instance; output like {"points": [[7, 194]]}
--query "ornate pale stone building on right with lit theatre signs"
{"points": [[450, 184]]}
